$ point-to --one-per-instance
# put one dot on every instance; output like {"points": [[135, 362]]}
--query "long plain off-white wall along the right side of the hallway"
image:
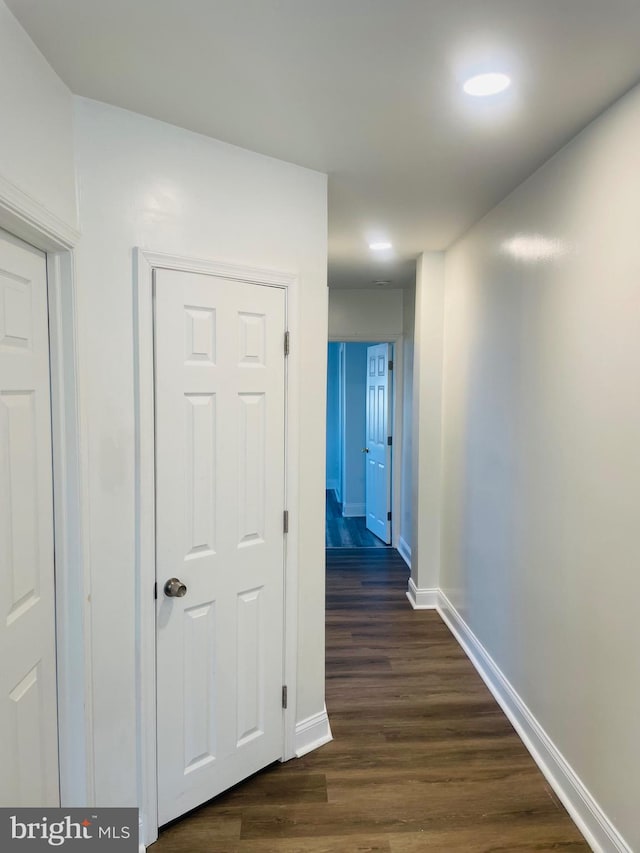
{"points": [[540, 548]]}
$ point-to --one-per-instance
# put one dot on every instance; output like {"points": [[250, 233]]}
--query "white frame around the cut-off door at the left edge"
{"points": [[23, 217]]}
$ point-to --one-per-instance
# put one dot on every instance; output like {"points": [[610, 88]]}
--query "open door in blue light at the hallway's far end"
{"points": [[378, 447]]}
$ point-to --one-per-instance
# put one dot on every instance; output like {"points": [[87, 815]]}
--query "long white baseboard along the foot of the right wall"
{"points": [[599, 832]]}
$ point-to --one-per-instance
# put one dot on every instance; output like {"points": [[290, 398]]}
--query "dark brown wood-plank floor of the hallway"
{"points": [[423, 759]]}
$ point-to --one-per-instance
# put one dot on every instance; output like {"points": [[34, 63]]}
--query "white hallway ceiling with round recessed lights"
{"points": [[366, 90]]}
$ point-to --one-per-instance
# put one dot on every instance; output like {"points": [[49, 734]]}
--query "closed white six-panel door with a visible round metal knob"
{"points": [[220, 444]]}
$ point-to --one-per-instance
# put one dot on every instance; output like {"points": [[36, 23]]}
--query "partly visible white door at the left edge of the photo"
{"points": [[28, 709]]}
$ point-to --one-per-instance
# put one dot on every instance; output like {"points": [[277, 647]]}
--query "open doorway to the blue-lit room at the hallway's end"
{"points": [[360, 407]]}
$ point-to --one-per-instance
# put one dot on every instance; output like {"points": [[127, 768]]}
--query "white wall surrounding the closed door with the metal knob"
{"points": [[144, 183]]}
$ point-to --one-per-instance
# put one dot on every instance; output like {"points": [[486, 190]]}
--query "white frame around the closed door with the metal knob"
{"points": [[144, 264]]}
